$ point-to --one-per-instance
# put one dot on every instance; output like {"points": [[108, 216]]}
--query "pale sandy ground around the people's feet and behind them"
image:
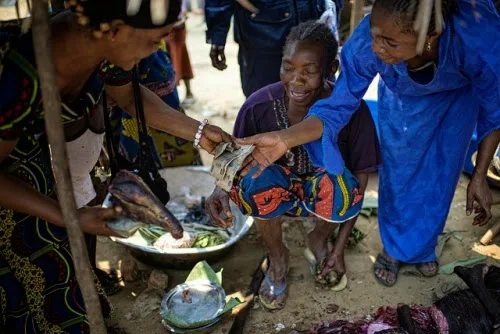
{"points": [[219, 97]]}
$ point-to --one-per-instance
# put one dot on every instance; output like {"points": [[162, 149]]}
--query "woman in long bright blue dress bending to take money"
{"points": [[429, 105]]}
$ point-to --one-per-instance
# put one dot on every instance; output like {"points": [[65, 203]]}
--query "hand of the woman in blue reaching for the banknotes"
{"points": [[269, 147]]}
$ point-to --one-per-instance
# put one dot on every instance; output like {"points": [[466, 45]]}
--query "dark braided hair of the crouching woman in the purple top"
{"points": [[316, 33]]}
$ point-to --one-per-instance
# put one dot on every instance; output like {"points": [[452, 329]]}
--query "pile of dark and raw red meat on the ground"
{"points": [[475, 310]]}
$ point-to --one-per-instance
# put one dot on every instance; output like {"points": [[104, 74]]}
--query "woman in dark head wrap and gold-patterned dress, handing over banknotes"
{"points": [[39, 292]]}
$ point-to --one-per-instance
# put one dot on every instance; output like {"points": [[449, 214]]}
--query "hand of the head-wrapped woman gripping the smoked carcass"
{"points": [[93, 220]]}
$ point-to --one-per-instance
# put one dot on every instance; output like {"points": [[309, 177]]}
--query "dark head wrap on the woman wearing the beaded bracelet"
{"points": [[98, 14]]}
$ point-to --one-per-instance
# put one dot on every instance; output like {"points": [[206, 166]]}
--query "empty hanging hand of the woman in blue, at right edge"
{"points": [[478, 191]]}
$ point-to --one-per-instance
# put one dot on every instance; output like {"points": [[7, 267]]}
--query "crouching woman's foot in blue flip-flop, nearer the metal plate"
{"points": [[273, 291]]}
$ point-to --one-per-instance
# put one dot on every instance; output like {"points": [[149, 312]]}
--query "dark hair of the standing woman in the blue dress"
{"points": [[406, 12]]}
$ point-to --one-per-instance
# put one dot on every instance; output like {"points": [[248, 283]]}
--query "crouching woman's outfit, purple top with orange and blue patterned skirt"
{"points": [[293, 186]]}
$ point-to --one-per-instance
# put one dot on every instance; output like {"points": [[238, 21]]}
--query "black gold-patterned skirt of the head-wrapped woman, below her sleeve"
{"points": [[39, 292]]}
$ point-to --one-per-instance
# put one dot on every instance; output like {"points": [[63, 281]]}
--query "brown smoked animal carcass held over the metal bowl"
{"points": [[139, 203]]}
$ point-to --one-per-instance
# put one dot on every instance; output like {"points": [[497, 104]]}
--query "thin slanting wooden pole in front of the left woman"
{"points": [[60, 166]]}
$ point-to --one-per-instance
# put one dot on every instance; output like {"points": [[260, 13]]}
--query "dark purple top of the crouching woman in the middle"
{"points": [[266, 111]]}
